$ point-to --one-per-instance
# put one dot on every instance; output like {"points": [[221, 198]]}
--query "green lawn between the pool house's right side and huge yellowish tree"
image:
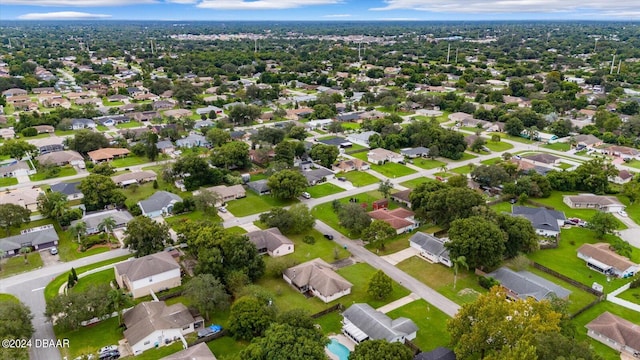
{"points": [[431, 322]]}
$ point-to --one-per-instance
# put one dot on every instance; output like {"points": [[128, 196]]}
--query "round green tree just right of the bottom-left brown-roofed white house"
{"points": [[249, 318]]}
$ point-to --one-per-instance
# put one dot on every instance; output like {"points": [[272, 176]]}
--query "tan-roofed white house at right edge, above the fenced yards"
{"points": [[601, 258]]}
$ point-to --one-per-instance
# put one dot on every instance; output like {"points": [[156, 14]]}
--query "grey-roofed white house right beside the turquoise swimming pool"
{"points": [[361, 322]]}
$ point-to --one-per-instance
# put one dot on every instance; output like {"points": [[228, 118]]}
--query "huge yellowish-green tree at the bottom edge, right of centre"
{"points": [[492, 326]]}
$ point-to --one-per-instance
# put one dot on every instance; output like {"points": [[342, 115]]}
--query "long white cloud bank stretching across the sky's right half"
{"points": [[512, 6]]}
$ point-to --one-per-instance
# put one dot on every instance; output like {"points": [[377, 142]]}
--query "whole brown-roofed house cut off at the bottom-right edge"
{"points": [[615, 332]]}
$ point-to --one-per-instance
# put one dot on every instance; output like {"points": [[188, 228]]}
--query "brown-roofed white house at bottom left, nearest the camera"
{"points": [[151, 324]]}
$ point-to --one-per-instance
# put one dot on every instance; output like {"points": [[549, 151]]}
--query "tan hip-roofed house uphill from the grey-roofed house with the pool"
{"points": [[316, 277]]}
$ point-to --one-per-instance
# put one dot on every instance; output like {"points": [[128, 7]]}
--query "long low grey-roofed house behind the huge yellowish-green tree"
{"points": [[523, 285]]}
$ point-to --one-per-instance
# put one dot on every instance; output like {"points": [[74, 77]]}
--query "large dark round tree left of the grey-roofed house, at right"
{"points": [[480, 241]]}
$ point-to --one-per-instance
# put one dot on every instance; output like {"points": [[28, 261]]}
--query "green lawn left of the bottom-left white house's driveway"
{"points": [[88, 340]]}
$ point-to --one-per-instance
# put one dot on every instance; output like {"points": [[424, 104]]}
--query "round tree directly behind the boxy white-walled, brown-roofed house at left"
{"points": [[145, 236]]}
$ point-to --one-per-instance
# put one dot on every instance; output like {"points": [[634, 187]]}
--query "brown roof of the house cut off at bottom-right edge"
{"points": [[617, 329]]}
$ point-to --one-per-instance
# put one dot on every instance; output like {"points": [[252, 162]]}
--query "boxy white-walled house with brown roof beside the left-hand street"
{"points": [[155, 272]]}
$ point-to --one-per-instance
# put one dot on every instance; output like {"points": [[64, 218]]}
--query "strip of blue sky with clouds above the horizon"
{"points": [[353, 10]]}
